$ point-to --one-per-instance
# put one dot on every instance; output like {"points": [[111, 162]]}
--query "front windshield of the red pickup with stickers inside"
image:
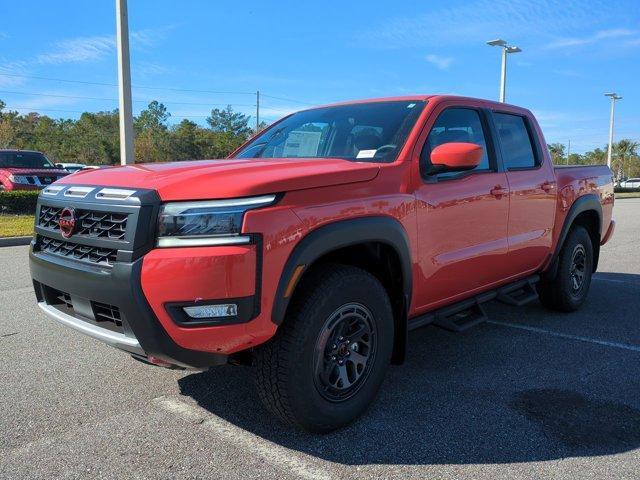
{"points": [[367, 132]]}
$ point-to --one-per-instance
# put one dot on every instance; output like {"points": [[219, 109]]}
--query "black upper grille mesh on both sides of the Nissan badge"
{"points": [[90, 223]]}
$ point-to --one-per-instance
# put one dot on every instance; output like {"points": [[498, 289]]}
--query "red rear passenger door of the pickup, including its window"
{"points": [[533, 190]]}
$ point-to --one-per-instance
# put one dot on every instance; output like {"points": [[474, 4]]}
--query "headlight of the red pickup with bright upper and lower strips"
{"points": [[212, 222]]}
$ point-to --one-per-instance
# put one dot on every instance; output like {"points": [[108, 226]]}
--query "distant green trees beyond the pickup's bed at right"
{"points": [[625, 161]]}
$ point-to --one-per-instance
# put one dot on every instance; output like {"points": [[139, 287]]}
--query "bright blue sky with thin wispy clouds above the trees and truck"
{"points": [[314, 53]]}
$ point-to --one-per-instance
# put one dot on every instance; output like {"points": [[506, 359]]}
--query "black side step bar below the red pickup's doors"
{"points": [[468, 313]]}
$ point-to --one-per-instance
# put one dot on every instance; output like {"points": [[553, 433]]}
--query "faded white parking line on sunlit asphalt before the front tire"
{"points": [[278, 456]]}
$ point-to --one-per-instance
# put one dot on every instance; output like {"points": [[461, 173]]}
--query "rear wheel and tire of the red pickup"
{"points": [[568, 290]]}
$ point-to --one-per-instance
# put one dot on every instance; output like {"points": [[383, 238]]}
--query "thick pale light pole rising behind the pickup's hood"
{"points": [[124, 84]]}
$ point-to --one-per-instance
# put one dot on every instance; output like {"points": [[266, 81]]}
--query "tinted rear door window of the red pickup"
{"points": [[517, 150]]}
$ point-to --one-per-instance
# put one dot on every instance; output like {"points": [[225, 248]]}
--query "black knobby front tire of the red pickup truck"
{"points": [[285, 366]]}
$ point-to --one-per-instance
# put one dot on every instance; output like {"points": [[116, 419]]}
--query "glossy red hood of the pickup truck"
{"points": [[209, 179]]}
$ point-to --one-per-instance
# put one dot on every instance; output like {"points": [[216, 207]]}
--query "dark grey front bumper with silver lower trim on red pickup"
{"points": [[83, 286]]}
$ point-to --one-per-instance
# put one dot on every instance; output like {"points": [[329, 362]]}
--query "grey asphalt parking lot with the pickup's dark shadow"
{"points": [[529, 394]]}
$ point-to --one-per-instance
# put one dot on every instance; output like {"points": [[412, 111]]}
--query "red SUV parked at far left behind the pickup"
{"points": [[27, 170]]}
